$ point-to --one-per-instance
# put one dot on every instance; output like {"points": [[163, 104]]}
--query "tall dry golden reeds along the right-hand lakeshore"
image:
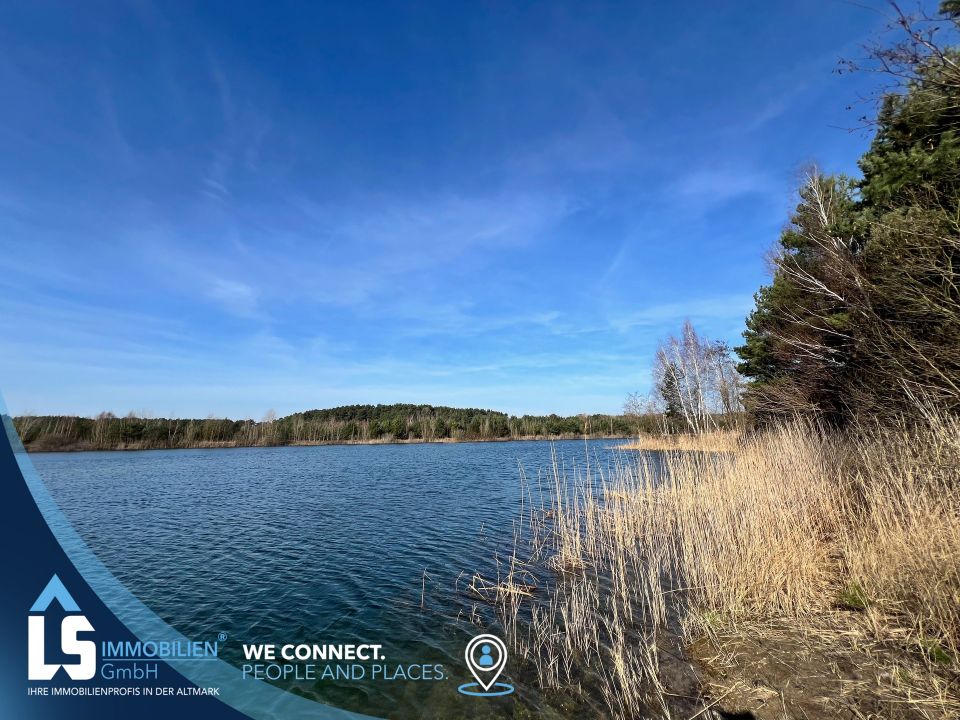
{"points": [[641, 560]]}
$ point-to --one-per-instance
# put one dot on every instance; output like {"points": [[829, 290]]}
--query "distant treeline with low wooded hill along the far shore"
{"points": [[347, 424]]}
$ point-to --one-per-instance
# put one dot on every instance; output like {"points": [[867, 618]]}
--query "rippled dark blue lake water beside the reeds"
{"points": [[342, 544]]}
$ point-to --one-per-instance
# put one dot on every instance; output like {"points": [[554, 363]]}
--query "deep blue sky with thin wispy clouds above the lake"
{"points": [[223, 208]]}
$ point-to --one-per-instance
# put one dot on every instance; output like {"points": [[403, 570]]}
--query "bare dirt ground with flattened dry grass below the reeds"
{"points": [[833, 666]]}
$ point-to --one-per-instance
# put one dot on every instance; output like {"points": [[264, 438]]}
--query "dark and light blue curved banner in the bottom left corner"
{"points": [[52, 576]]}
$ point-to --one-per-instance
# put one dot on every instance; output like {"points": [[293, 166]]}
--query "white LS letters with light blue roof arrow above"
{"points": [[73, 624]]}
